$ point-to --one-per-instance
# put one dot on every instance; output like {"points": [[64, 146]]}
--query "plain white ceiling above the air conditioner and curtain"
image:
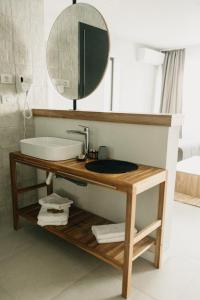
{"points": [[162, 24]]}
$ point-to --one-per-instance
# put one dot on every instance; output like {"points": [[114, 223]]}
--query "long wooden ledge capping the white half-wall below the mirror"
{"points": [[168, 120]]}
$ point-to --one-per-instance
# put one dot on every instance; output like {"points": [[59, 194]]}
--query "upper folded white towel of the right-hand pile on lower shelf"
{"points": [[109, 231]]}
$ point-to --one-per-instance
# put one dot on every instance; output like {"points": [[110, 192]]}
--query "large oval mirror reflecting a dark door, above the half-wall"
{"points": [[77, 51]]}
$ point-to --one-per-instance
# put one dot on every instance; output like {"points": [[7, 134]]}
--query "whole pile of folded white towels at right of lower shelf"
{"points": [[109, 233]]}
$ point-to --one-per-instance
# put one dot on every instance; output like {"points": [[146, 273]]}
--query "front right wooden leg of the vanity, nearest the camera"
{"points": [[128, 245]]}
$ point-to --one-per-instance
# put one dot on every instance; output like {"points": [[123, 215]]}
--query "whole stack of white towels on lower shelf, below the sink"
{"points": [[54, 210]]}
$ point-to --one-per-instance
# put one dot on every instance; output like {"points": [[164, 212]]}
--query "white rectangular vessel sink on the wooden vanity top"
{"points": [[51, 148]]}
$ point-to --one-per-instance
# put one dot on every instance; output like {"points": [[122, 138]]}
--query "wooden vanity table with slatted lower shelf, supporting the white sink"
{"points": [[78, 230]]}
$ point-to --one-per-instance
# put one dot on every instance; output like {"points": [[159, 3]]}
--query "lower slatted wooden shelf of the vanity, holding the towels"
{"points": [[78, 232]]}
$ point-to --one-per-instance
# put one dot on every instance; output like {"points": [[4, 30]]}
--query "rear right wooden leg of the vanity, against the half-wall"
{"points": [[159, 233]]}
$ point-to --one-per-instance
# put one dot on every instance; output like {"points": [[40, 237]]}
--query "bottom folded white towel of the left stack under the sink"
{"points": [[46, 216]]}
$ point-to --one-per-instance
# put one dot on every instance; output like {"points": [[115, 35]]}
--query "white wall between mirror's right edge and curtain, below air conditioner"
{"points": [[136, 82]]}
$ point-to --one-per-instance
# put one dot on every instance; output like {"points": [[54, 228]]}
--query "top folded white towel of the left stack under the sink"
{"points": [[55, 201]]}
